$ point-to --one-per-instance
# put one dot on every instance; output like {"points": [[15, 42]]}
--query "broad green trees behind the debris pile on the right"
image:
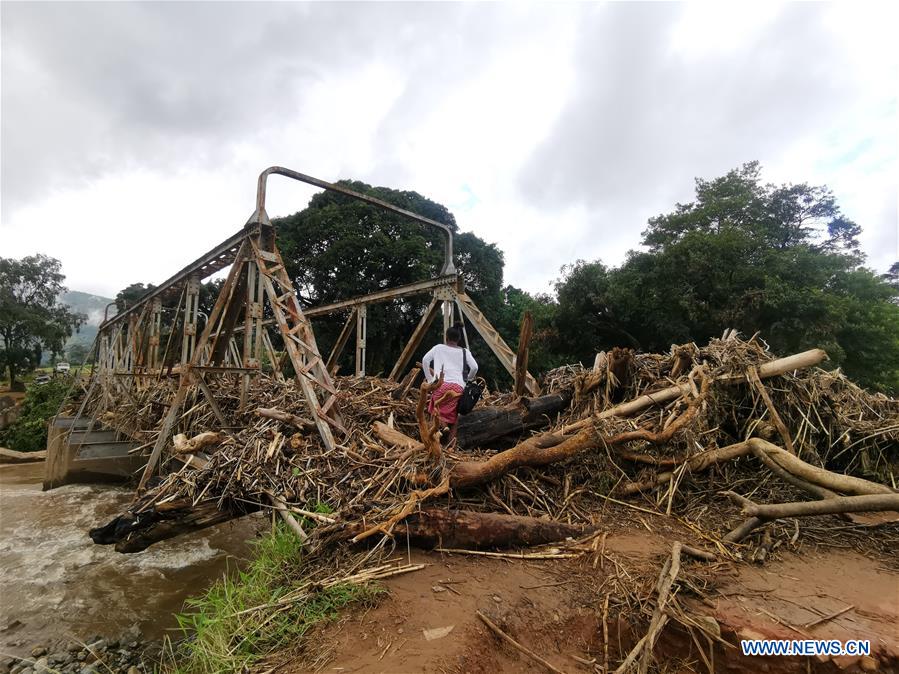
{"points": [[778, 259]]}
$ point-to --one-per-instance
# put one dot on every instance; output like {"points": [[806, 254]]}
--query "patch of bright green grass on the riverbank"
{"points": [[234, 623]]}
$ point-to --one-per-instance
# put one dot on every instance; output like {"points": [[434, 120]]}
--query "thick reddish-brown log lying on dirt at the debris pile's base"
{"points": [[434, 527]]}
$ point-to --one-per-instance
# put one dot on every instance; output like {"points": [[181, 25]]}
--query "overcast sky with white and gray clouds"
{"points": [[132, 134]]}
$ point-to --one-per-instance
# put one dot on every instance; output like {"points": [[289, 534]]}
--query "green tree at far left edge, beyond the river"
{"points": [[32, 320]]}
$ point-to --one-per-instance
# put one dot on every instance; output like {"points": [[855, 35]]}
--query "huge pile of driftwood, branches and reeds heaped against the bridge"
{"points": [[726, 429]]}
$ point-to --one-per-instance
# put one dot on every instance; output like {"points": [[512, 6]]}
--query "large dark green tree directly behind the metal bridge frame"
{"points": [[339, 247]]}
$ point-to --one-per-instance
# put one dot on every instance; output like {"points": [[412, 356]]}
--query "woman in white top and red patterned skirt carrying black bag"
{"points": [[451, 360]]}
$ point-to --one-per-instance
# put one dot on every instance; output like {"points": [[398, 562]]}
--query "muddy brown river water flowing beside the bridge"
{"points": [[56, 584]]}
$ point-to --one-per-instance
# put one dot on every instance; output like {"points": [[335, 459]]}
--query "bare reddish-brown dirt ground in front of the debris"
{"points": [[429, 622]]}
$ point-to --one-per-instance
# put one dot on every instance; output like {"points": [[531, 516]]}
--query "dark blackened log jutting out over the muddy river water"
{"points": [[136, 532]]}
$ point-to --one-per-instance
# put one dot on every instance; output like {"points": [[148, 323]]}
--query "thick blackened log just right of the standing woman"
{"points": [[485, 425]]}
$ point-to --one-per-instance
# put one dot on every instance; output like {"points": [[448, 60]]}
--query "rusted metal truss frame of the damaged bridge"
{"points": [[164, 342]]}
